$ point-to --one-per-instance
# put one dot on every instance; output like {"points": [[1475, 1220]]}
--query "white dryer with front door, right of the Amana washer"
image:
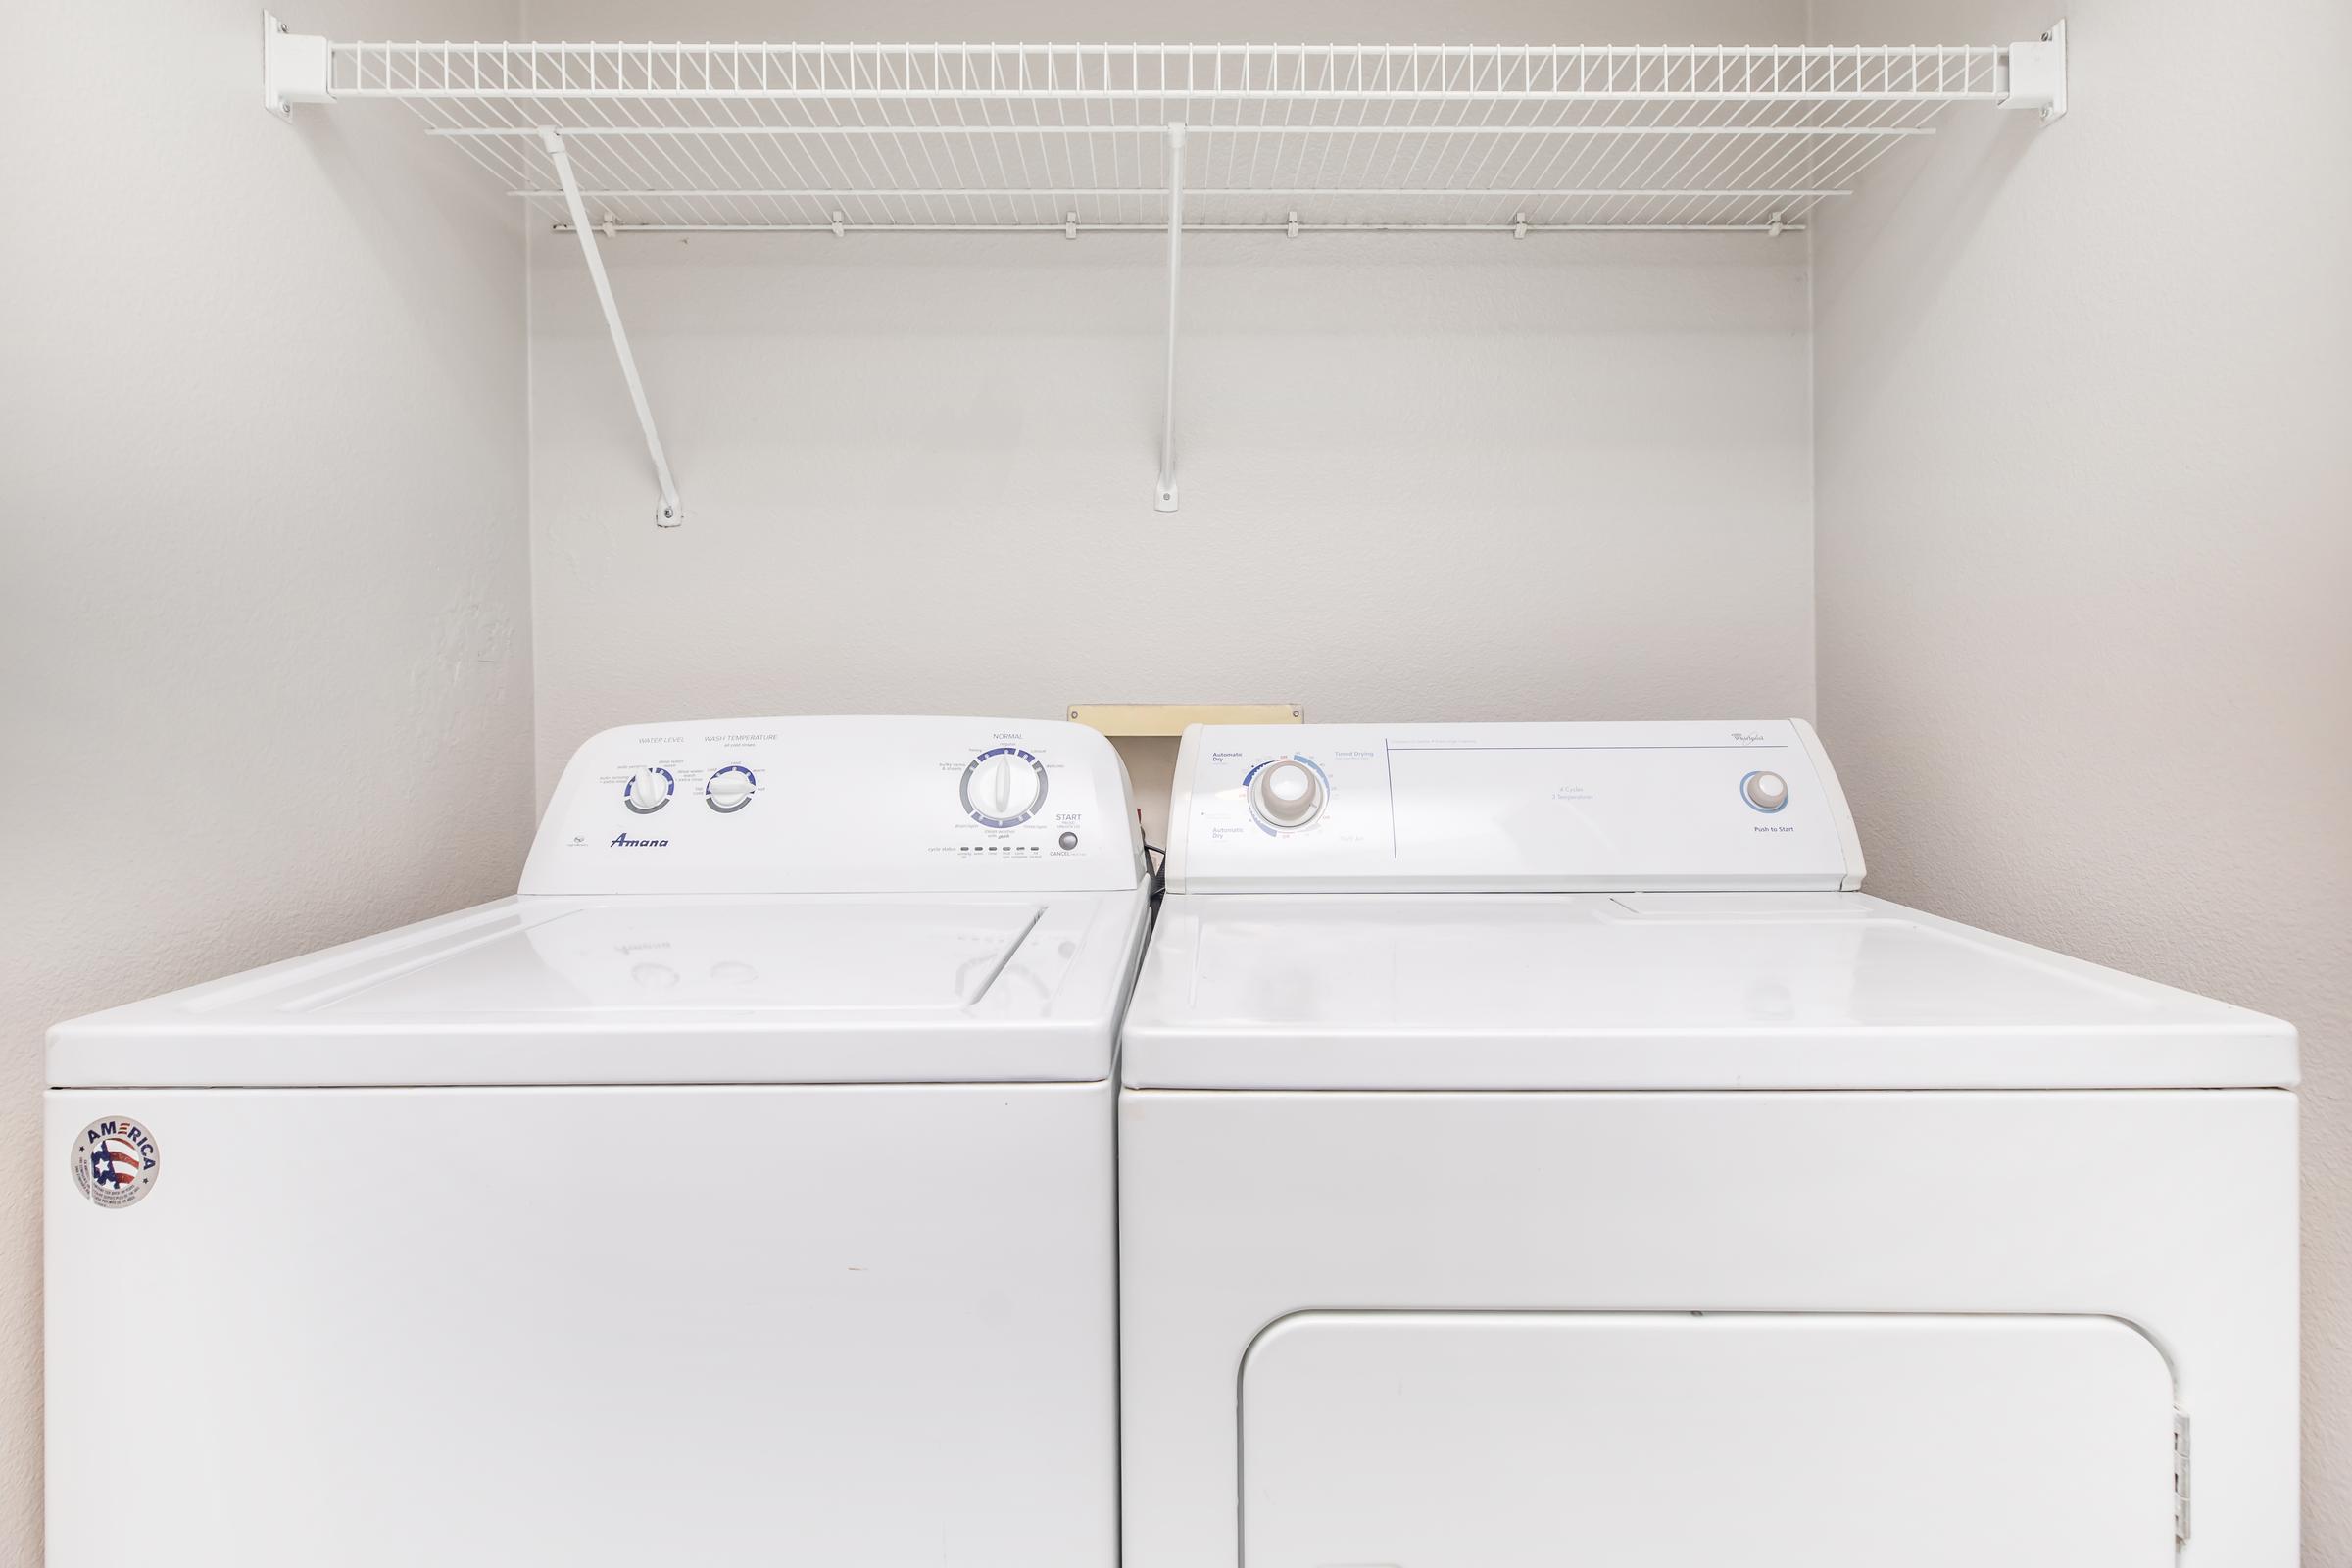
{"points": [[1535, 1151]]}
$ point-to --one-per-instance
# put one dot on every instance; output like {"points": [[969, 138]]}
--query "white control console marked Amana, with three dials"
{"points": [[841, 808]]}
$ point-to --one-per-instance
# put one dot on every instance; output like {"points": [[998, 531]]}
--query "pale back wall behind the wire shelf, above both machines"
{"points": [[1422, 474]]}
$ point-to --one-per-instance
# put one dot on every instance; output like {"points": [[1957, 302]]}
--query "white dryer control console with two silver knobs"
{"points": [[1497, 808]]}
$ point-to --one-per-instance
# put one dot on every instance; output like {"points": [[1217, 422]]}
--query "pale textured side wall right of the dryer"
{"points": [[2085, 540]]}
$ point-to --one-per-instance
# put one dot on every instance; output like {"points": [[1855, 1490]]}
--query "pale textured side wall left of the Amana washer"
{"points": [[265, 674]]}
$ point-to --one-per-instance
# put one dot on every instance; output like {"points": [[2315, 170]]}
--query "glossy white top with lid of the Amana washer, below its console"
{"points": [[655, 991]]}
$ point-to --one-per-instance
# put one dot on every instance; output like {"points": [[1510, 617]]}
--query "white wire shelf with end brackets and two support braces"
{"points": [[1161, 140]]}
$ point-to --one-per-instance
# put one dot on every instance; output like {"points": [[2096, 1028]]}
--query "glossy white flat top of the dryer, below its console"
{"points": [[1655, 991]]}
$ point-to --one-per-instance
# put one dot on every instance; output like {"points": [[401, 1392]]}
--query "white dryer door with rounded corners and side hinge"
{"points": [[1521, 1440]]}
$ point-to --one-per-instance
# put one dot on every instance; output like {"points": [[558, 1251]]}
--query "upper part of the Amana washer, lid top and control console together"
{"points": [[726, 902]]}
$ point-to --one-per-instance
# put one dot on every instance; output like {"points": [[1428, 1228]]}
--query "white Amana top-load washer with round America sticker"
{"points": [[740, 1193]]}
